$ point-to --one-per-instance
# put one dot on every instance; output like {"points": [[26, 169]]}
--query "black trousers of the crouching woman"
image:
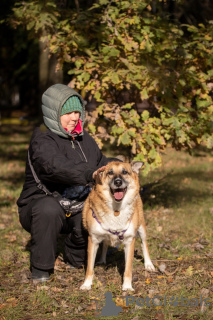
{"points": [[45, 219]]}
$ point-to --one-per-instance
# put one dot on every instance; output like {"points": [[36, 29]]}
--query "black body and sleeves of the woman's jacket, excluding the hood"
{"points": [[60, 163]]}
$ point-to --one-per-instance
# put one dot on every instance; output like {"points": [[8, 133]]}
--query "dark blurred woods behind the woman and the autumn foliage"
{"points": [[28, 68]]}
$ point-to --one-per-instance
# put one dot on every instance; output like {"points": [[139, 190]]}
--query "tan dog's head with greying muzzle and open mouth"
{"points": [[118, 177]]}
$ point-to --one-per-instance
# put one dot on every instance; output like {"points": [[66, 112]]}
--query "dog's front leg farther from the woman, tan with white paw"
{"points": [[129, 255]]}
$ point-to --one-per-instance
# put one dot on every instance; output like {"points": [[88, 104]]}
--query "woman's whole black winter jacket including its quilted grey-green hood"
{"points": [[59, 159]]}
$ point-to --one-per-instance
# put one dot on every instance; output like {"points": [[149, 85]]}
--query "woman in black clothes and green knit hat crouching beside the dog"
{"points": [[63, 158]]}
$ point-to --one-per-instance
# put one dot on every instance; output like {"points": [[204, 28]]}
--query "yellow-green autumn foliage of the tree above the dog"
{"points": [[150, 76]]}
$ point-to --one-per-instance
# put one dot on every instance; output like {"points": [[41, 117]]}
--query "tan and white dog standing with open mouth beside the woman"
{"points": [[113, 213]]}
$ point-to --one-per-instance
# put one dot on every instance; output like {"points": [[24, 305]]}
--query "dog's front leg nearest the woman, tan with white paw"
{"points": [[91, 252]]}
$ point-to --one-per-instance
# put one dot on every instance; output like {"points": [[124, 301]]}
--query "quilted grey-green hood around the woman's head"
{"points": [[53, 100]]}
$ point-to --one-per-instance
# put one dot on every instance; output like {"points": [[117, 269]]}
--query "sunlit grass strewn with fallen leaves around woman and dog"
{"points": [[178, 207]]}
